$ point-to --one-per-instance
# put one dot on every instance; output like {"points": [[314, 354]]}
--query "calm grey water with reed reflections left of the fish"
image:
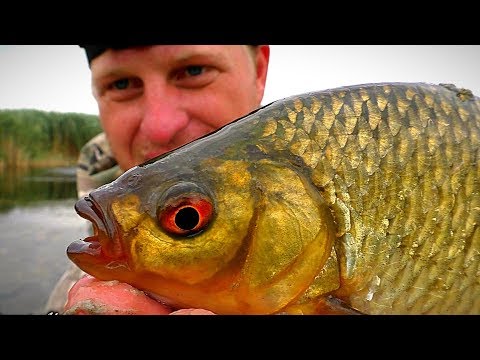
{"points": [[37, 222]]}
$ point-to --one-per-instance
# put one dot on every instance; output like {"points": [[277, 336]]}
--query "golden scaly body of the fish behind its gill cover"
{"points": [[398, 166]]}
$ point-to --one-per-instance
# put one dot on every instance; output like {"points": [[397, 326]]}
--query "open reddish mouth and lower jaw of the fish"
{"points": [[100, 251]]}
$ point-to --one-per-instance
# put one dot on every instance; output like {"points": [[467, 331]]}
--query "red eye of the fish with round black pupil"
{"points": [[186, 215]]}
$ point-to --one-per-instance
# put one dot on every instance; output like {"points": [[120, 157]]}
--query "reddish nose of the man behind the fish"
{"points": [[163, 116]]}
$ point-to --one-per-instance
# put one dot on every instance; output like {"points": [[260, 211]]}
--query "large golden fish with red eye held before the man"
{"points": [[359, 199]]}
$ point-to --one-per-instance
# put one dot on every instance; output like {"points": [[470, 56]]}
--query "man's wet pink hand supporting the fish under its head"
{"points": [[90, 296]]}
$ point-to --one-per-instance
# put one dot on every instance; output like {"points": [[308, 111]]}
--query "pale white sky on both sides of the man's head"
{"points": [[57, 77]]}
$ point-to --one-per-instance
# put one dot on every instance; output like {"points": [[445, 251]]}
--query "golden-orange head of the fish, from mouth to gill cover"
{"points": [[218, 227]]}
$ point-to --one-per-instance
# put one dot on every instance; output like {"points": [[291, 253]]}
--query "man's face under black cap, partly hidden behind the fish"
{"points": [[154, 99]]}
